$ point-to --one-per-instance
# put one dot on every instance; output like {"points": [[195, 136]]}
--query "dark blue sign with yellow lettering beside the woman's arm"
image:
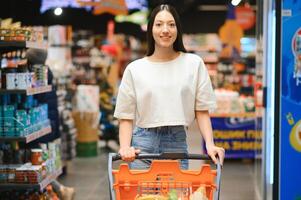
{"points": [[239, 136]]}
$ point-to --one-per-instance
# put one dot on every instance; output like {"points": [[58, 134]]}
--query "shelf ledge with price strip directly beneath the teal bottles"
{"points": [[29, 138]]}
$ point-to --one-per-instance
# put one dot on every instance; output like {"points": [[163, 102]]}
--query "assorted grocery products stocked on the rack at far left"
{"points": [[24, 172]]}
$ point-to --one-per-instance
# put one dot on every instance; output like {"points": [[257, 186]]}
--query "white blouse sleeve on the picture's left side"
{"points": [[126, 98]]}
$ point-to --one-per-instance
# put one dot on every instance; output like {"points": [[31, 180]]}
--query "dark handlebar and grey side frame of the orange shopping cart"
{"points": [[170, 156]]}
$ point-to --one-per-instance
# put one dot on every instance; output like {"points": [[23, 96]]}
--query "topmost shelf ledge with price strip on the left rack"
{"points": [[23, 44]]}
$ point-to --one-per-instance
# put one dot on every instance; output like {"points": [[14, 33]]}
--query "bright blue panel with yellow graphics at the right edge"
{"points": [[290, 135]]}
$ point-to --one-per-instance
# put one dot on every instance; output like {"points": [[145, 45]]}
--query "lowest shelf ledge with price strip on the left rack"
{"points": [[40, 186]]}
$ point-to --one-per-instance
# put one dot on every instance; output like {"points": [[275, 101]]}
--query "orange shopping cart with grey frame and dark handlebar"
{"points": [[164, 180]]}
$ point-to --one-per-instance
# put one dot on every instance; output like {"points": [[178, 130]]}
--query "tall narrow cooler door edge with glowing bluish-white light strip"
{"points": [[269, 71]]}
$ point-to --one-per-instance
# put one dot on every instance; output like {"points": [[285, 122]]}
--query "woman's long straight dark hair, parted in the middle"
{"points": [[178, 44]]}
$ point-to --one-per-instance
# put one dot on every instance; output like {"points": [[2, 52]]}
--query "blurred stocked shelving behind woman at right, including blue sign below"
{"points": [[236, 122]]}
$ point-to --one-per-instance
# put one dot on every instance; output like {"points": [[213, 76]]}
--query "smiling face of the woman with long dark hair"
{"points": [[164, 29]]}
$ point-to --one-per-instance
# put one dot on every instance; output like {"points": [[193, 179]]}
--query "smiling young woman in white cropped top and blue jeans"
{"points": [[162, 93]]}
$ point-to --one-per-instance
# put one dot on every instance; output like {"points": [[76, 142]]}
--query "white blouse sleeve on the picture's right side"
{"points": [[205, 97]]}
